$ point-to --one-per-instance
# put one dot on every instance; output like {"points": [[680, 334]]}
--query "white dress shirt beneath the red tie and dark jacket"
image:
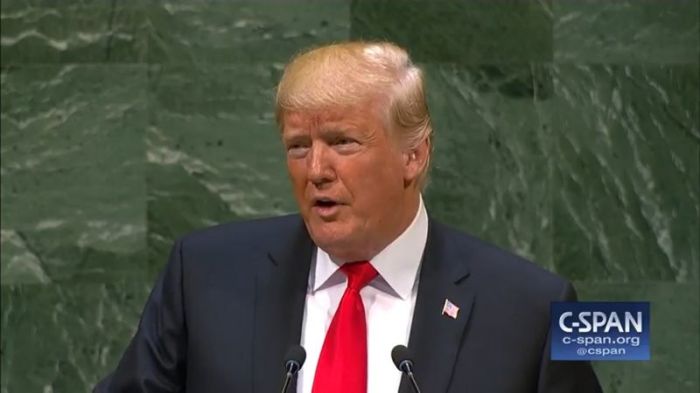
{"points": [[389, 301]]}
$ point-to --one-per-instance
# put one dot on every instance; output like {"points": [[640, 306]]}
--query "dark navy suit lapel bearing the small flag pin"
{"points": [[435, 338]]}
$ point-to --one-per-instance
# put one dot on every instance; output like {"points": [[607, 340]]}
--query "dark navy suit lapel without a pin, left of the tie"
{"points": [[281, 284]]}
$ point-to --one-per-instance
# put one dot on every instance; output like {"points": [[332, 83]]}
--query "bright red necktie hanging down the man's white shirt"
{"points": [[342, 365]]}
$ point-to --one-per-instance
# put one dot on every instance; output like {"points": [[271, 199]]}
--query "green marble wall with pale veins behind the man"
{"points": [[566, 131]]}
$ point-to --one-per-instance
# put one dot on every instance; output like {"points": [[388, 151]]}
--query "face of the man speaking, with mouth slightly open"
{"points": [[353, 182]]}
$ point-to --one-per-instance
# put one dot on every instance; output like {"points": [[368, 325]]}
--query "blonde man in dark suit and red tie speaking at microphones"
{"points": [[361, 269]]}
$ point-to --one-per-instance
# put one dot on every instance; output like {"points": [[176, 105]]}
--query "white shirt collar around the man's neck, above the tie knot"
{"points": [[397, 264]]}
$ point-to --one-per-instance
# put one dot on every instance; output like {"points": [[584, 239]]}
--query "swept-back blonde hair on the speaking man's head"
{"points": [[354, 73]]}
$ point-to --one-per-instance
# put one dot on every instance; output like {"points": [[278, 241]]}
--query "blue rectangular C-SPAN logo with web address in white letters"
{"points": [[600, 331]]}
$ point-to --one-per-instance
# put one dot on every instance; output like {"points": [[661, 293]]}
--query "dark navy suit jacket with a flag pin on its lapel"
{"points": [[230, 302]]}
